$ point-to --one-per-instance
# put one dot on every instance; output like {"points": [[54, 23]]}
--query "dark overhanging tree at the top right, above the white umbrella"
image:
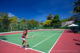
{"points": [[76, 12]]}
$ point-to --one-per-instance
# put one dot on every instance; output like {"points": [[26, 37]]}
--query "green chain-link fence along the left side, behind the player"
{"points": [[16, 27]]}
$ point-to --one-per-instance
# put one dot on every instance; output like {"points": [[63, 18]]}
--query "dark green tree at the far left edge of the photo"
{"points": [[4, 21]]}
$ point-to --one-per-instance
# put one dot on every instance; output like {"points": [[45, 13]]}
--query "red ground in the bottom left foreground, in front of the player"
{"points": [[12, 48]]}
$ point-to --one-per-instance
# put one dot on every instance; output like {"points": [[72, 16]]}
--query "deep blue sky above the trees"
{"points": [[37, 9]]}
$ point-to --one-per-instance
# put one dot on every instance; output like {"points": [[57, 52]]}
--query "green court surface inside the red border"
{"points": [[41, 40]]}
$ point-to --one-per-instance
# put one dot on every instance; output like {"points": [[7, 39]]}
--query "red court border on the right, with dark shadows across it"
{"points": [[69, 42]]}
